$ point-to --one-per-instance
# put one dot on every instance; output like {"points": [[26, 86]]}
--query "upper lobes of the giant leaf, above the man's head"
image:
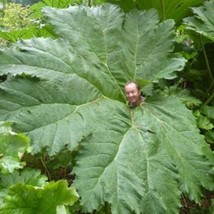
{"points": [[115, 51]]}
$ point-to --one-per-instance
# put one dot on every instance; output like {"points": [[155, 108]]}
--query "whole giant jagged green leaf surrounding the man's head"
{"points": [[68, 92]]}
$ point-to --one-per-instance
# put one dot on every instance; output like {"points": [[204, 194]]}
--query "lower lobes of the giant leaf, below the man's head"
{"points": [[143, 167]]}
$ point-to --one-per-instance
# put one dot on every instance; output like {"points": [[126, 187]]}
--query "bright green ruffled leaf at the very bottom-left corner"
{"points": [[27, 199]]}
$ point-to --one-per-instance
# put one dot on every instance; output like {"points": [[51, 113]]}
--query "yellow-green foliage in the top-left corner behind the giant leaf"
{"points": [[18, 22]]}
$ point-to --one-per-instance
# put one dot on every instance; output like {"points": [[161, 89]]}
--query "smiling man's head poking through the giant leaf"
{"points": [[133, 93]]}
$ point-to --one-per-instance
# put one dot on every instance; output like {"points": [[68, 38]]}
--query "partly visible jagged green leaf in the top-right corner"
{"points": [[202, 21]]}
